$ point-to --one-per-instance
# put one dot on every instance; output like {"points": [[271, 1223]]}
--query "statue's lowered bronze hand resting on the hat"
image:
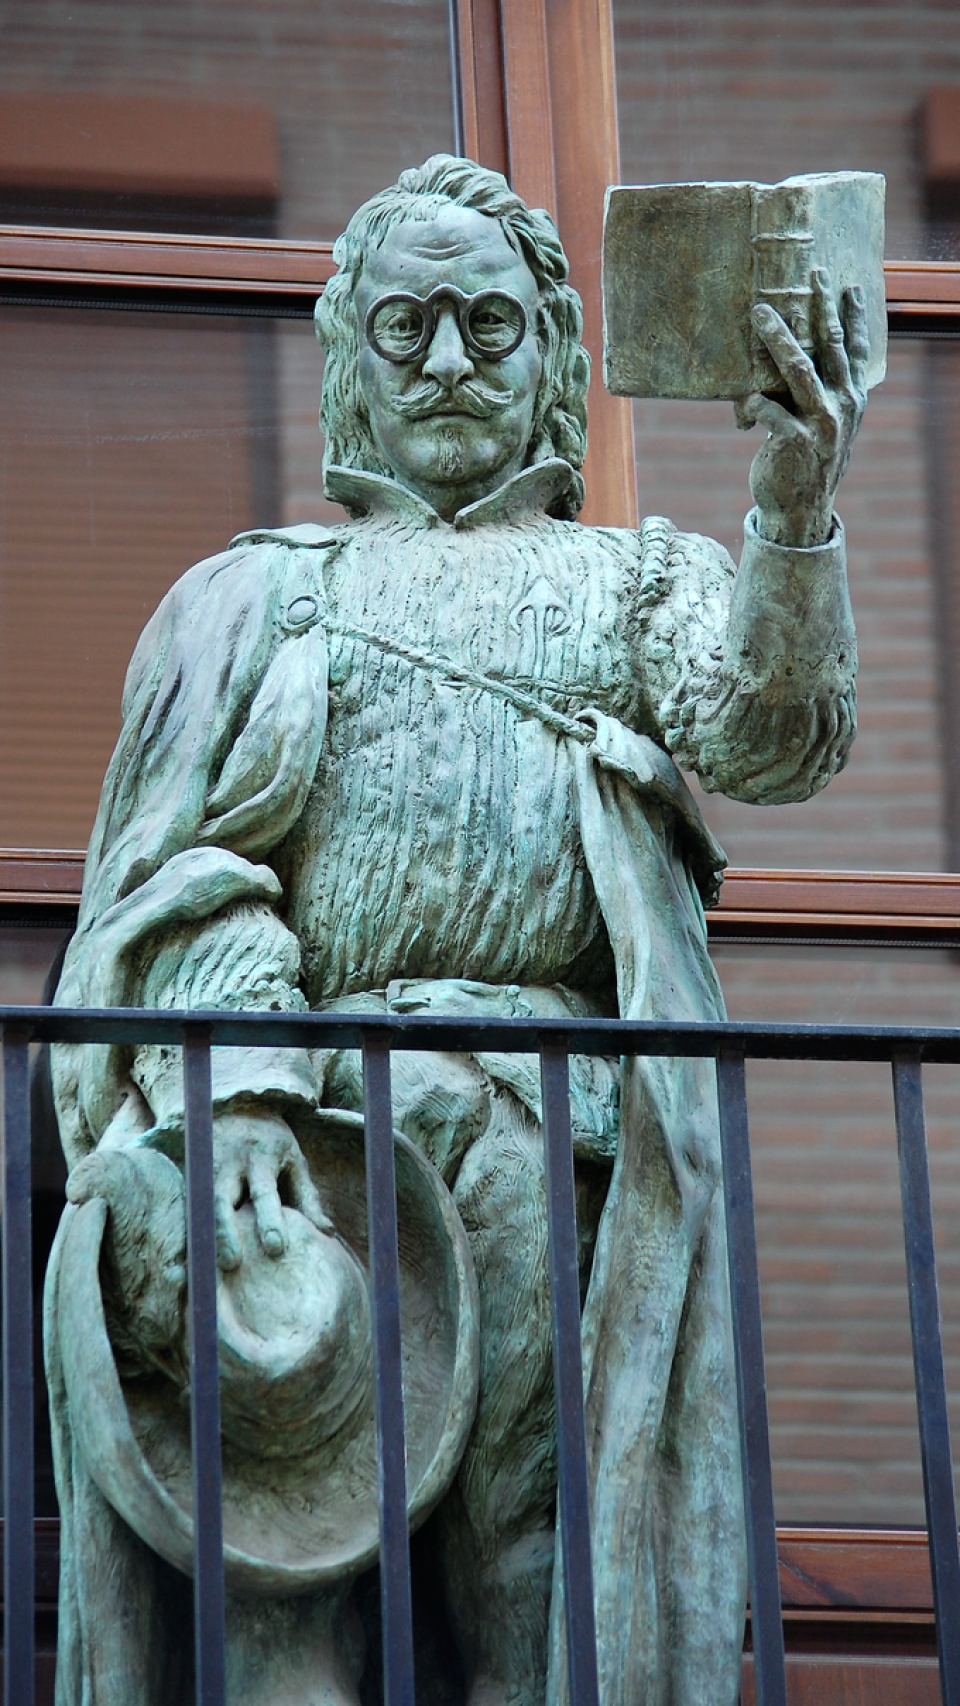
{"points": [[258, 1161]]}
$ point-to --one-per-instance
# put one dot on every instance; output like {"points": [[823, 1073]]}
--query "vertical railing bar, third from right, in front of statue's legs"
{"points": [[574, 1488]]}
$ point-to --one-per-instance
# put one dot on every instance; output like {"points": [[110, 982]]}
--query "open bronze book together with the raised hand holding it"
{"points": [[770, 296]]}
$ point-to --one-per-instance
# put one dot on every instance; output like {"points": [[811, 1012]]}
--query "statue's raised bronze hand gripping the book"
{"points": [[797, 472]]}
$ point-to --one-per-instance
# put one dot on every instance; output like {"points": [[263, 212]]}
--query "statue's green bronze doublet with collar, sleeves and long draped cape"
{"points": [[412, 763]]}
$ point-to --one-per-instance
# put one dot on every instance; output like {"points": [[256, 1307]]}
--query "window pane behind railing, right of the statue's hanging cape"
{"points": [[836, 1325]]}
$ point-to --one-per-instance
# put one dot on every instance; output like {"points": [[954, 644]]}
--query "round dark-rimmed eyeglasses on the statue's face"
{"points": [[400, 327]]}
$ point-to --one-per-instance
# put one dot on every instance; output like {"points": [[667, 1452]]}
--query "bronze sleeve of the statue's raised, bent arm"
{"points": [[749, 673]]}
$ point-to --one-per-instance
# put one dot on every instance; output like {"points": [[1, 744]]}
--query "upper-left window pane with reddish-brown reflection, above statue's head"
{"points": [[221, 117]]}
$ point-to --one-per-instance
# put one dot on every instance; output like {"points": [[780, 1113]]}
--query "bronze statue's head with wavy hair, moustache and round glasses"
{"points": [[453, 339]]}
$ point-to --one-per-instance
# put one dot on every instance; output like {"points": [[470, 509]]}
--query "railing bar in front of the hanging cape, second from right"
{"points": [[766, 1618]]}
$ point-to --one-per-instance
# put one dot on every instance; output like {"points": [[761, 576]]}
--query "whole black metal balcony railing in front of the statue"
{"points": [[731, 1045]]}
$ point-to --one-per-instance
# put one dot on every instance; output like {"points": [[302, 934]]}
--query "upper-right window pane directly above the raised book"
{"points": [[763, 91]]}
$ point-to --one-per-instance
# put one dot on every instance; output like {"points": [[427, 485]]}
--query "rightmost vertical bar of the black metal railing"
{"points": [[928, 1371]]}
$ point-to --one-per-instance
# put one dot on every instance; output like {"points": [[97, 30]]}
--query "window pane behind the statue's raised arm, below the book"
{"points": [[894, 806]]}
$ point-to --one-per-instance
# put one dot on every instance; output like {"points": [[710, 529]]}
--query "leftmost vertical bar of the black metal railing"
{"points": [[18, 1378]]}
